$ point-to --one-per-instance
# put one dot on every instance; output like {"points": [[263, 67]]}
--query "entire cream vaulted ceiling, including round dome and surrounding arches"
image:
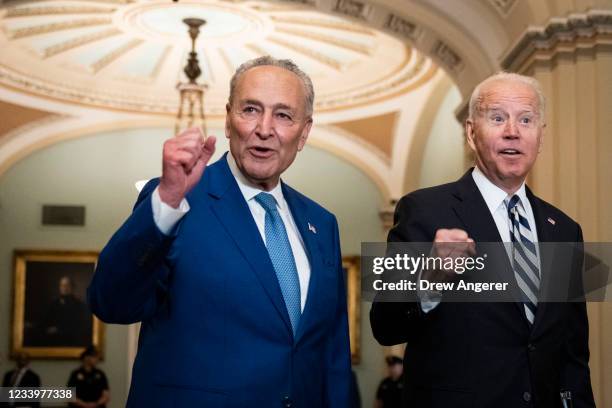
{"points": [[77, 66]]}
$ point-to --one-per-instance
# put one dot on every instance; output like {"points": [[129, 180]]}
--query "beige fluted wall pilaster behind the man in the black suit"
{"points": [[575, 169]]}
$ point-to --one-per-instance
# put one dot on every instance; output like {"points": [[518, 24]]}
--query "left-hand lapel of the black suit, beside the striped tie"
{"points": [[474, 213]]}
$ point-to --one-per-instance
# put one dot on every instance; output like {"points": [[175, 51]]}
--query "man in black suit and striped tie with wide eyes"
{"points": [[482, 355]]}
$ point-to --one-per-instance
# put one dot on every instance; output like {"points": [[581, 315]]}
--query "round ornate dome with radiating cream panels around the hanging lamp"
{"points": [[128, 55]]}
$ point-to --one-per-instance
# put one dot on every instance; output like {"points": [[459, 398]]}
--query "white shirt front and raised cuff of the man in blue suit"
{"points": [[166, 217]]}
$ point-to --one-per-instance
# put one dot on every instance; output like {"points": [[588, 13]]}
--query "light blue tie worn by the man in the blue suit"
{"points": [[282, 258]]}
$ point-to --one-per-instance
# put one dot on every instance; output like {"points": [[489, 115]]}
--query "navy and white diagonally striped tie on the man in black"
{"points": [[524, 257]]}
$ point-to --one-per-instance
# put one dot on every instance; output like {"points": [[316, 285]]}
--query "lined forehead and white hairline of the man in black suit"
{"points": [[508, 95]]}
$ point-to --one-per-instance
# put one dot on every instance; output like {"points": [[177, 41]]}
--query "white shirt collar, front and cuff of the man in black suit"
{"points": [[495, 199]]}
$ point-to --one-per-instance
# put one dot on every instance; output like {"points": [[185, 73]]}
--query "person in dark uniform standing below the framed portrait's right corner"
{"points": [[90, 382]]}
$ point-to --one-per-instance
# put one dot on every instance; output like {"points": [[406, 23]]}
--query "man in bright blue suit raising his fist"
{"points": [[236, 277]]}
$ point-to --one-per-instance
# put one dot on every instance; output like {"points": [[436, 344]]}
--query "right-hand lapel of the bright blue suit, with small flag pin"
{"points": [[307, 230]]}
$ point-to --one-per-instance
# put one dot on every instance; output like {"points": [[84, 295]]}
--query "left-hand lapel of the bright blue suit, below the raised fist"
{"points": [[233, 212]]}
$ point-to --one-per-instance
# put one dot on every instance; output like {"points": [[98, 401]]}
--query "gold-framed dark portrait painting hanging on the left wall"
{"points": [[50, 316]]}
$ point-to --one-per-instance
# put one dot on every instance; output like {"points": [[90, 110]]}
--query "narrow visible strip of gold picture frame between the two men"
{"points": [[351, 267]]}
